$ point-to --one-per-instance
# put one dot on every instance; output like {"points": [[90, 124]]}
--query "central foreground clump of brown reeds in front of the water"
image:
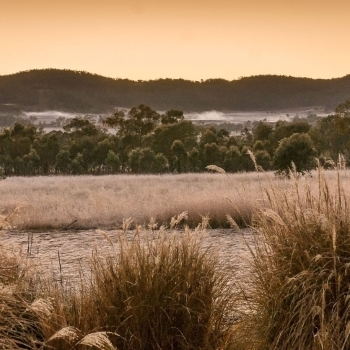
{"points": [[159, 290]]}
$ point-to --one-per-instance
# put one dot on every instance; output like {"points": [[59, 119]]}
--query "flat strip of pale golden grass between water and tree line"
{"points": [[104, 201]]}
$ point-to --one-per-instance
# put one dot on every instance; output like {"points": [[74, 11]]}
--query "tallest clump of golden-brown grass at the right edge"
{"points": [[302, 267]]}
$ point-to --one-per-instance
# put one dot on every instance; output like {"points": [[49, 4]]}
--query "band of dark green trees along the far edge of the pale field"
{"points": [[147, 142]]}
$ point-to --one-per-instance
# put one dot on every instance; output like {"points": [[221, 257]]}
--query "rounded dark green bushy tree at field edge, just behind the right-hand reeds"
{"points": [[298, 149]]}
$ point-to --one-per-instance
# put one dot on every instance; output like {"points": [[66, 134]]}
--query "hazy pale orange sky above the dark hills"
{"points": [[151, 39]]}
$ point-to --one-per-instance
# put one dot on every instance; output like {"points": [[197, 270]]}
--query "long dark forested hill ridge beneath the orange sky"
{"points": [[76, 91]]}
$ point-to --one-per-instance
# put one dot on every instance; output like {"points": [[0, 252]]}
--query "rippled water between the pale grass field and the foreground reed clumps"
{"points": [[65, 255]]}
